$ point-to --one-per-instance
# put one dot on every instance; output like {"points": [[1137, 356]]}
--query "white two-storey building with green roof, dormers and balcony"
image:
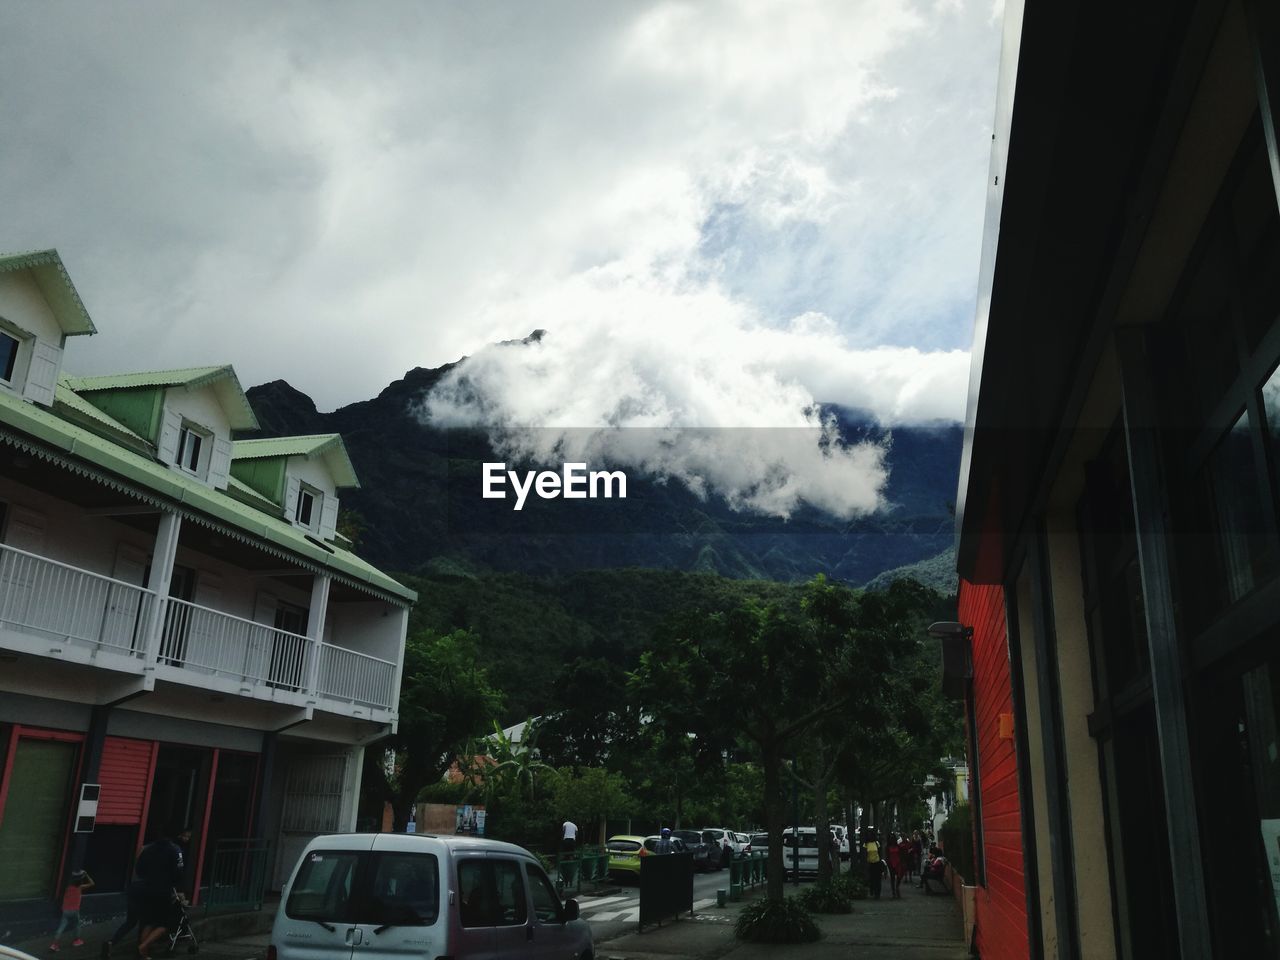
{"points": [[181, 624]]}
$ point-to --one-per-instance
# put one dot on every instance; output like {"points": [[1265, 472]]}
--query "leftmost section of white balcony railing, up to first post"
{"points": [[86, 610]]}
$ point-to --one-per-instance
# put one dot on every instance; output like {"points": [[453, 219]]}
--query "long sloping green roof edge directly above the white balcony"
{"points": [[202, 504]]}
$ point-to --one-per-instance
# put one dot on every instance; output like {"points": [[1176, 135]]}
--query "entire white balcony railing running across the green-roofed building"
{"points": [[53, 609]]}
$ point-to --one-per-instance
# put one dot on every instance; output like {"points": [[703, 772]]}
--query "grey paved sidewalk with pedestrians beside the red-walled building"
{"points": [[917, 927]]}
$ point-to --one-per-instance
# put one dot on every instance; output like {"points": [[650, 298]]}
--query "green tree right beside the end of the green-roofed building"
{"points": [[446, 698]]}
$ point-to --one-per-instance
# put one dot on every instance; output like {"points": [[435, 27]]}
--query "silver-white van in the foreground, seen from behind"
{"points": [[414, 895]]}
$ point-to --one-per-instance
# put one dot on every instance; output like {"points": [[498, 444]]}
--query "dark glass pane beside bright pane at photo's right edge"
{"points": [[1245, 548]]}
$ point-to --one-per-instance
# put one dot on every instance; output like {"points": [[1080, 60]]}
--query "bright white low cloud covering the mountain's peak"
{"points": [[682, 381]]}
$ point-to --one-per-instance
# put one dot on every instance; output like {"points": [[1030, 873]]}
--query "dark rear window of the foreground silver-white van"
{"points": [[387, 889]]}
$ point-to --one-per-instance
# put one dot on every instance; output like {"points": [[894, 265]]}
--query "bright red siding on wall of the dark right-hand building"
{"points": [[1002, 906]]}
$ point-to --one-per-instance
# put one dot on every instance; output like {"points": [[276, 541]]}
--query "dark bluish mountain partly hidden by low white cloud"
{"points": [[422, 513]]}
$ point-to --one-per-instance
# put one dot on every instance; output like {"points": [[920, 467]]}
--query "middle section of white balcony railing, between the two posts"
{"points": [[205, 641]]}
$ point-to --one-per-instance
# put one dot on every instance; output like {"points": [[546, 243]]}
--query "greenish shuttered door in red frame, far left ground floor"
{"points": [[36, 807]]}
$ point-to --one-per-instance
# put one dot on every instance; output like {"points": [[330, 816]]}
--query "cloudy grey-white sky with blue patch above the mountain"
{"points": [[723, 213]]}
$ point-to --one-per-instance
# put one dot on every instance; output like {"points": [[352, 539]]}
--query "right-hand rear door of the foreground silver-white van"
{"points": [[400, 908]]}
